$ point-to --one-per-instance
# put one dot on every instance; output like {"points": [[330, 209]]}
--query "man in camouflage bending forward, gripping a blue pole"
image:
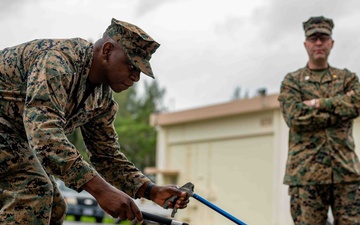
{"points": [[50, 87]]}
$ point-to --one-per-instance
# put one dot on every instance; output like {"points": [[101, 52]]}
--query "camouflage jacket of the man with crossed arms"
{"points": [[321, 145]]}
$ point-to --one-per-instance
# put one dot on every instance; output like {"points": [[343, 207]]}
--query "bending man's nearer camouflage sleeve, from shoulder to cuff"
{"points": [[44, 119]]}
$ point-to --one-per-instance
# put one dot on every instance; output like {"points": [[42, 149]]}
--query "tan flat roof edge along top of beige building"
{"points": [[236, 107]]}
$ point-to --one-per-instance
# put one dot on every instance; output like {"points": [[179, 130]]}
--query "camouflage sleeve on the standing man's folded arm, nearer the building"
{"points": [[298, 115]]}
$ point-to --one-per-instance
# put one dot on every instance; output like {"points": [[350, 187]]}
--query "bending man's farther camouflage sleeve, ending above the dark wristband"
{"points": [[102, 144]]}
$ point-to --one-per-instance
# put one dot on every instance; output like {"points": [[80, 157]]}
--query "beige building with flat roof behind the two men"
{"points": [[234, 154]]}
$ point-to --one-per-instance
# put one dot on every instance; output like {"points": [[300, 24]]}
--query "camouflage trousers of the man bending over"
{"points": [[28, 195]]}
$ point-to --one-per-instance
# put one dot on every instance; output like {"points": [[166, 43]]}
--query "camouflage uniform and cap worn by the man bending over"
{"points": [[44, 95]]}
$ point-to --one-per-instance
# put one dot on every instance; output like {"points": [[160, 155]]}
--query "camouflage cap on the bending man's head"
{"points": [[137, 45]]}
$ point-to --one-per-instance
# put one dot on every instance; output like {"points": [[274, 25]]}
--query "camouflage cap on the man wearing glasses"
{"points": [[318, 24]]}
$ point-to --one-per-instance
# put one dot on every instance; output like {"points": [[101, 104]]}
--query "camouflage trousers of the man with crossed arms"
{"points": [[310, 203]]}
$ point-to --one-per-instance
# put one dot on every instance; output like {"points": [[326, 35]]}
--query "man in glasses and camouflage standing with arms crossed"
{"points": [[319, 104]]}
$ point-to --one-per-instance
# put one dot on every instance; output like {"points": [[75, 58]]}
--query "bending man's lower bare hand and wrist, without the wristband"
{"points": [[113, 201]]}
